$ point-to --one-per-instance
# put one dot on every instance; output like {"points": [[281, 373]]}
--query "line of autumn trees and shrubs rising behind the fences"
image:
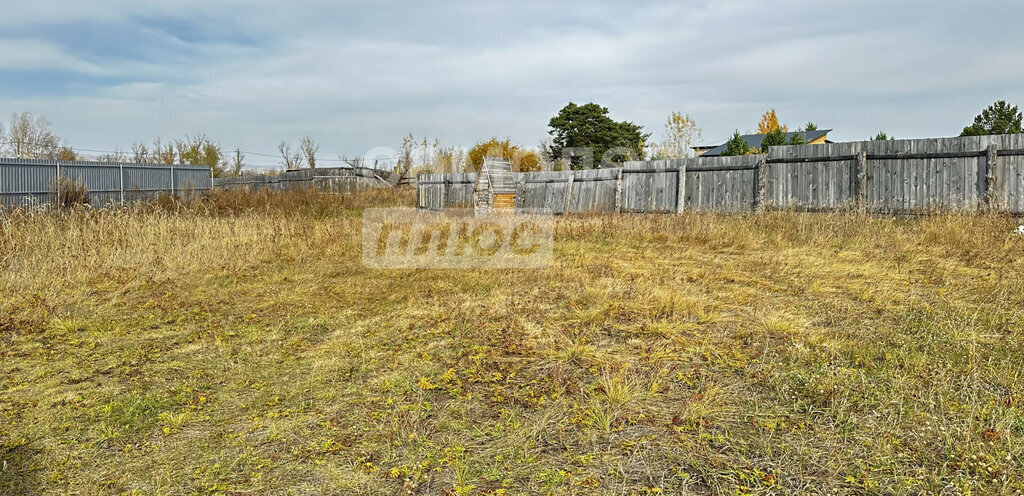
{"points": [[582, 137]]}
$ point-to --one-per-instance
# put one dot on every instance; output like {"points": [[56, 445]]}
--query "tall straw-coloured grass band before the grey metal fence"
{"points": [[225, 230]]}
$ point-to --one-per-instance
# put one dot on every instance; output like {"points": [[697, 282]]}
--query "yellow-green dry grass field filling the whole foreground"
{"points": [[238, 346]]}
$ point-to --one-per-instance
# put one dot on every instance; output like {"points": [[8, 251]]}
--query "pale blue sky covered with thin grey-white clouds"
{"points": [[358, 75]]}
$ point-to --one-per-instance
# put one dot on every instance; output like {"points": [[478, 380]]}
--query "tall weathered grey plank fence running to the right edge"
{"points": [[967, 174]]}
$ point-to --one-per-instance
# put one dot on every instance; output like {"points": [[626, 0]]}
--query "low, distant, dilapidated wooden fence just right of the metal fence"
{"points": [[338, 180]]}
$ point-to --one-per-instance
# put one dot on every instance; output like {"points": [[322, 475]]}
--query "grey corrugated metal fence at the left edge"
{"points": [[32, 182]]}
